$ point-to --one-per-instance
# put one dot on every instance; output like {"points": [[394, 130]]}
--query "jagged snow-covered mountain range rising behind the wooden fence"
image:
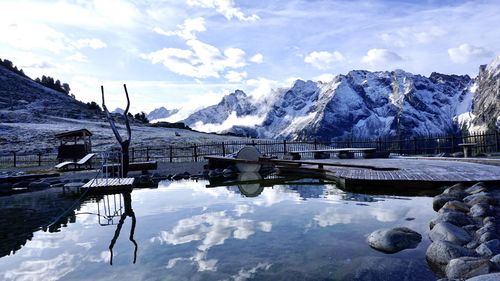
{"points": [[360, 104]]}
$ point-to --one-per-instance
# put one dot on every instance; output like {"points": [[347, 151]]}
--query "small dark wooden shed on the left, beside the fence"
{"points": [[74, 145]]}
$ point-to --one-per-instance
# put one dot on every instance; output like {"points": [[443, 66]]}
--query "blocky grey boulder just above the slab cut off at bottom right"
{"points": [[467, 267]]}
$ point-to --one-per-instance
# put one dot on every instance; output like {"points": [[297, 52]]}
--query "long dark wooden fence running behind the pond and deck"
{"points": [[487, 142]]}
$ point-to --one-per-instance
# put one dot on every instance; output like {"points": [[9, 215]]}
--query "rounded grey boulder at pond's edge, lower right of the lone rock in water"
{"points": [[441, 252]]}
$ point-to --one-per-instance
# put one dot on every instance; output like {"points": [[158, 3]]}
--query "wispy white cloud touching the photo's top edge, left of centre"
{"points": [[224, 7]]}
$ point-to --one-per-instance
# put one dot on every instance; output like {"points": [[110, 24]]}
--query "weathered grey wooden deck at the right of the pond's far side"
{"points": [[419, 173]]}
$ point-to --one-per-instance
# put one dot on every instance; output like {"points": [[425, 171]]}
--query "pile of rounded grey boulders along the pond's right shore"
{"points": [[465, 234]]}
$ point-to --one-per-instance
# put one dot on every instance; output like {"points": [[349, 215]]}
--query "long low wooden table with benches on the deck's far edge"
{"points": [[342, 153]]}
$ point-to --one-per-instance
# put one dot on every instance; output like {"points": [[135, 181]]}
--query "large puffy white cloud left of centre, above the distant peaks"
{"points": [[201, 61]]}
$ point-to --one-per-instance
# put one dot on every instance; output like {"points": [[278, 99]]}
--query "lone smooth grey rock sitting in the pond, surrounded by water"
{"points": [[394, 240]]}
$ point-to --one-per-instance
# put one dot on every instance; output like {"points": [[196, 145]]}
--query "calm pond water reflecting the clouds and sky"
{"points": [[185, 231]]}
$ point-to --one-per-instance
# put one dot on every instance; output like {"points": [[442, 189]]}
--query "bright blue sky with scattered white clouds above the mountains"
{"points": [[189, 53]]}
